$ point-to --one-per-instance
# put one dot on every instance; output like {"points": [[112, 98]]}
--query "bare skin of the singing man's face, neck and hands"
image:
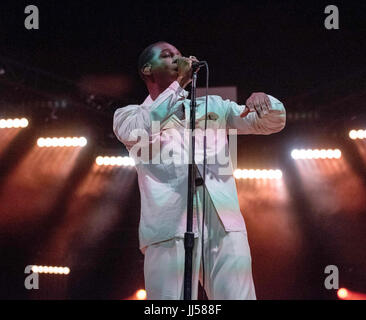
{"points": [[168, 65]]}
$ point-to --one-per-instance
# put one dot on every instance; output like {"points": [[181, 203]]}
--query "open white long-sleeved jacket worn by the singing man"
{"points": [[156, 131]]}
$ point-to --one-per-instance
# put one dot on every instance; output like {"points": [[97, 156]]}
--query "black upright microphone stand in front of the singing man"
{"points": [[189, 235]]}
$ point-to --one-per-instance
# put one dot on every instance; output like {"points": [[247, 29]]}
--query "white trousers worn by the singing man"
{"points": [[227, 261]]}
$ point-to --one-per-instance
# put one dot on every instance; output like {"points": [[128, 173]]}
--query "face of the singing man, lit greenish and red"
{"points": [[164, 70]]}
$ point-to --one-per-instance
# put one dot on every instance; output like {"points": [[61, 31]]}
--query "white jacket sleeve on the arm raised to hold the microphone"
{"points": [[135, 120]]}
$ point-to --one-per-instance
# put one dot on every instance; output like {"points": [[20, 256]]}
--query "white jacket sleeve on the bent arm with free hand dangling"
{"points": [[272, 122]]}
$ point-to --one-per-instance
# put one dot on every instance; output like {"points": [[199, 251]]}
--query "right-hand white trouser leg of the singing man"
{"points": [[227, 260]]}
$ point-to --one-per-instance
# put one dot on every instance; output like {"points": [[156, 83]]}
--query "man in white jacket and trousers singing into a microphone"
{"points": [[164, 184]]}
